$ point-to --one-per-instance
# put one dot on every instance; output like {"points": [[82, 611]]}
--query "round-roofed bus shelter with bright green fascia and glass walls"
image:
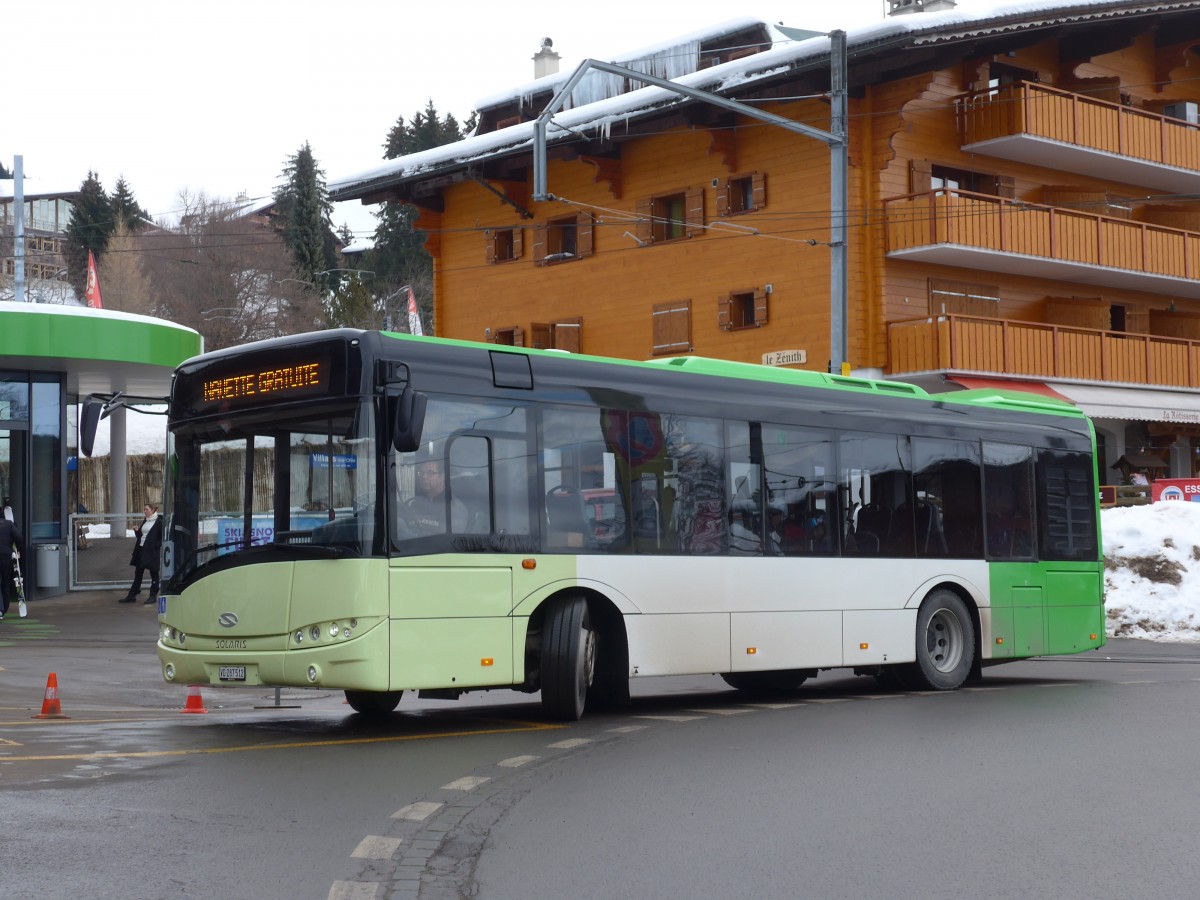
{"points": [[51, 358]]}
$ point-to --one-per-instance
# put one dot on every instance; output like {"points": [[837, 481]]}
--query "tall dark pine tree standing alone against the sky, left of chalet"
{"points": [[305, 211]]}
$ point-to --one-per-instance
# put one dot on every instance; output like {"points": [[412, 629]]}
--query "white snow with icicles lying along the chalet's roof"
{"points": [[603, 116]]}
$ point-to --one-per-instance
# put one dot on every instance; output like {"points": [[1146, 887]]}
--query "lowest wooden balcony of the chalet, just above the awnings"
{"points": [[974, 344]]}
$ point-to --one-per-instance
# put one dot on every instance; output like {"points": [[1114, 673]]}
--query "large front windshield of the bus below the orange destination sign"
{"points": [[301, 484]]}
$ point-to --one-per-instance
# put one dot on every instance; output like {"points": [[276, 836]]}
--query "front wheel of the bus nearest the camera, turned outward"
{"points": [[568, 658]]}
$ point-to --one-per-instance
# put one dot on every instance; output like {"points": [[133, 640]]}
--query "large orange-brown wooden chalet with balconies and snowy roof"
{"points": [[1021, 208]]}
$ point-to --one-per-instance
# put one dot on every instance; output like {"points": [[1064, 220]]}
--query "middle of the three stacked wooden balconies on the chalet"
{"points": [[953, 227]]}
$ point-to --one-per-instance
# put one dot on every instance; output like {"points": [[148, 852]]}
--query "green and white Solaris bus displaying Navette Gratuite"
{"points": [[377, 514]]}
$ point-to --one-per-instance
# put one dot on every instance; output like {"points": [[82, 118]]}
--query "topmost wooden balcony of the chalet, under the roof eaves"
{"points": [[1046, 127]]}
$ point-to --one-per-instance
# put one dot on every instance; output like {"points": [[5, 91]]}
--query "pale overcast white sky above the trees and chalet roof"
{"points": [[214, 98]]}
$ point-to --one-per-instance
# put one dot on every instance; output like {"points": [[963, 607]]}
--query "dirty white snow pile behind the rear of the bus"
{"points": [[1153, 571]]}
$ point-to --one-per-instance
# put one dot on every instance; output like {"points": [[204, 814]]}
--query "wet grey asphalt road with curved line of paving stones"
{"points": [[1066, 777]]}
